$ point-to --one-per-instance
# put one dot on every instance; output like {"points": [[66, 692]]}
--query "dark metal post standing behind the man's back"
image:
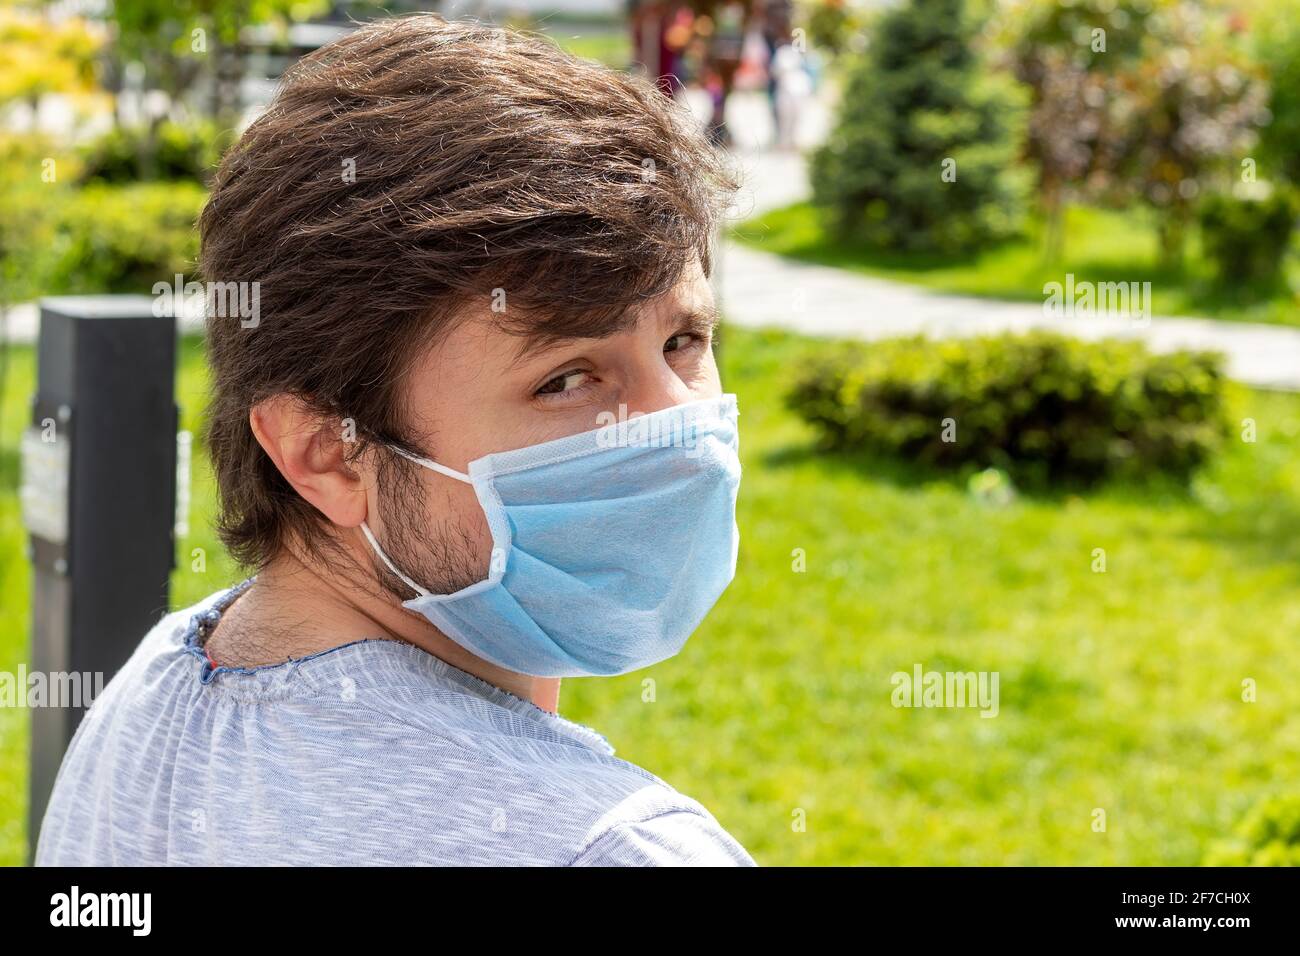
{"points": [[99, 500]]}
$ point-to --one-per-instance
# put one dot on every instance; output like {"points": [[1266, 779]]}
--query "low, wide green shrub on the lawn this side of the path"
{"points": [[1045, 408]]}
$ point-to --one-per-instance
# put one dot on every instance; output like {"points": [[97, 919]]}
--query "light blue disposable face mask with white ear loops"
{"points": [[609, 547]]}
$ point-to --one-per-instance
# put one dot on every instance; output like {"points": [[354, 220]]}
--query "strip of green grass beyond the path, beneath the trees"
{"points": [[1100, 246]]}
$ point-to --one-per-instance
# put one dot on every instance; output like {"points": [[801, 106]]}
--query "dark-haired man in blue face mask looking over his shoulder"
{"points": [[474, 443]]}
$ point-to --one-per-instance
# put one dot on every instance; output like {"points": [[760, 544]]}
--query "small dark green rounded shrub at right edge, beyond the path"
{"points": [[1247, 236]]}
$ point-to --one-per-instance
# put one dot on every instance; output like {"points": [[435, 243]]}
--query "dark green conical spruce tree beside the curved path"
{"points": [[924, 152]]}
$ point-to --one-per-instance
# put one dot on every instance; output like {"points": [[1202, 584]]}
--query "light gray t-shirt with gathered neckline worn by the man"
{"points": [[375, 752]]}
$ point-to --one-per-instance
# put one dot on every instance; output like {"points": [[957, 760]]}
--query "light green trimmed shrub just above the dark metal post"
{"points": [[125, 239]]}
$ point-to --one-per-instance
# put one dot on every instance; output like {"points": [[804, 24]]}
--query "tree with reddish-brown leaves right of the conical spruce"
{"points": [[1132, 100]]}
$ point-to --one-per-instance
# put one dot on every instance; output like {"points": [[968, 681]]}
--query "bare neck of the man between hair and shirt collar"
{"points": [[294, 611]]}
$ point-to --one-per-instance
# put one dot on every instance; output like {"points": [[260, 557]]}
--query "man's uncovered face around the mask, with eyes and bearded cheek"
{"points": [[486, 391]]}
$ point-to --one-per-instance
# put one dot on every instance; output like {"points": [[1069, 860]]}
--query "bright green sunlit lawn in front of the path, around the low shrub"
{"points": [[1119, 690]]}
